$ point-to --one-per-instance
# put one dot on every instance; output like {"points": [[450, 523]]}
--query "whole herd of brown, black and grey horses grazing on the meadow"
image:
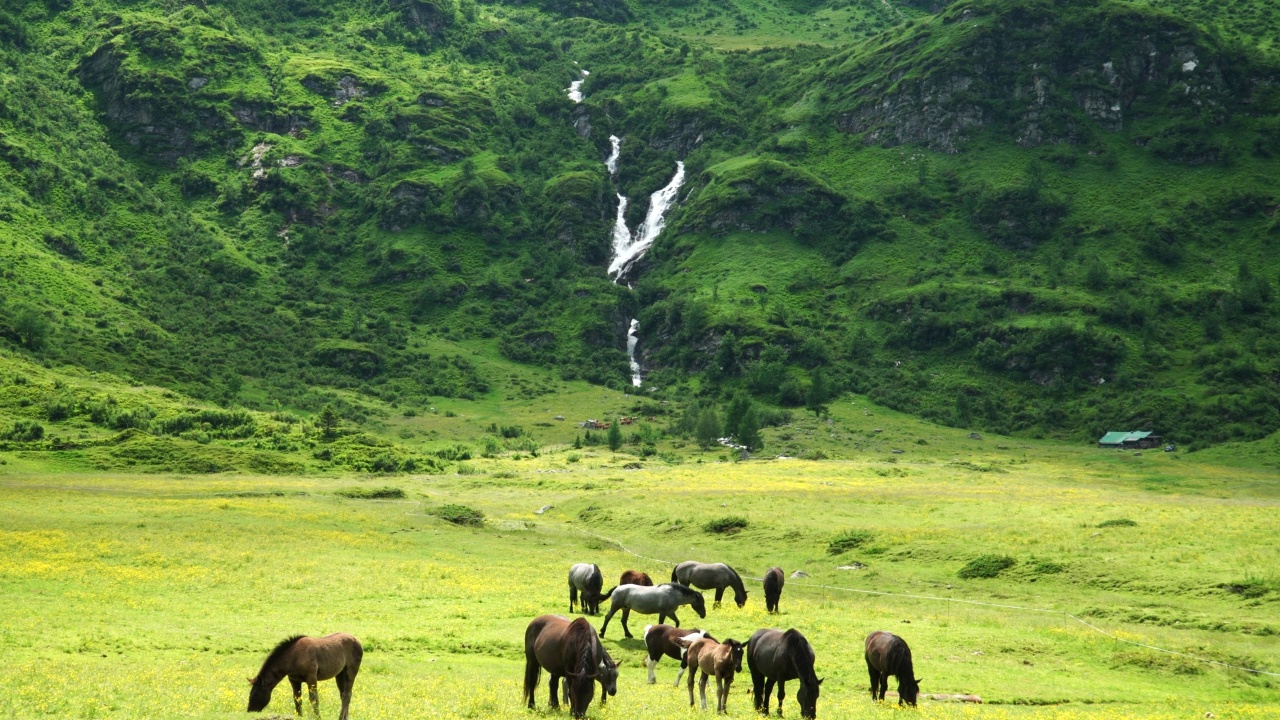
{"points": [[572, 651]]}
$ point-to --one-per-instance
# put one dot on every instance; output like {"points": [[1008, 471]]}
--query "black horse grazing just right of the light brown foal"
{"points": [[778, 657]]}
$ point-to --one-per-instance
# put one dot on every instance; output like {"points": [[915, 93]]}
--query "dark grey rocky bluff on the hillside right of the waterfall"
{"points": [[1049, 76]]}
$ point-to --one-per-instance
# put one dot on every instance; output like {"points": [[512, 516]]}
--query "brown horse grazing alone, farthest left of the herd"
{"points": [[309, 660]]}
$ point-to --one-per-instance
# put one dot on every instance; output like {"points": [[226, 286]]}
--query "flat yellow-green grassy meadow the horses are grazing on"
{"points": [[156, 596]]}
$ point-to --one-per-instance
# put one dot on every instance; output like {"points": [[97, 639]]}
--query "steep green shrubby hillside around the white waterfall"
{"points": [[1016, 216]]}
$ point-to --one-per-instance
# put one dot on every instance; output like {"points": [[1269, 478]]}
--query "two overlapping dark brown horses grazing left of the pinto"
{"points": [[568, 650]]}
